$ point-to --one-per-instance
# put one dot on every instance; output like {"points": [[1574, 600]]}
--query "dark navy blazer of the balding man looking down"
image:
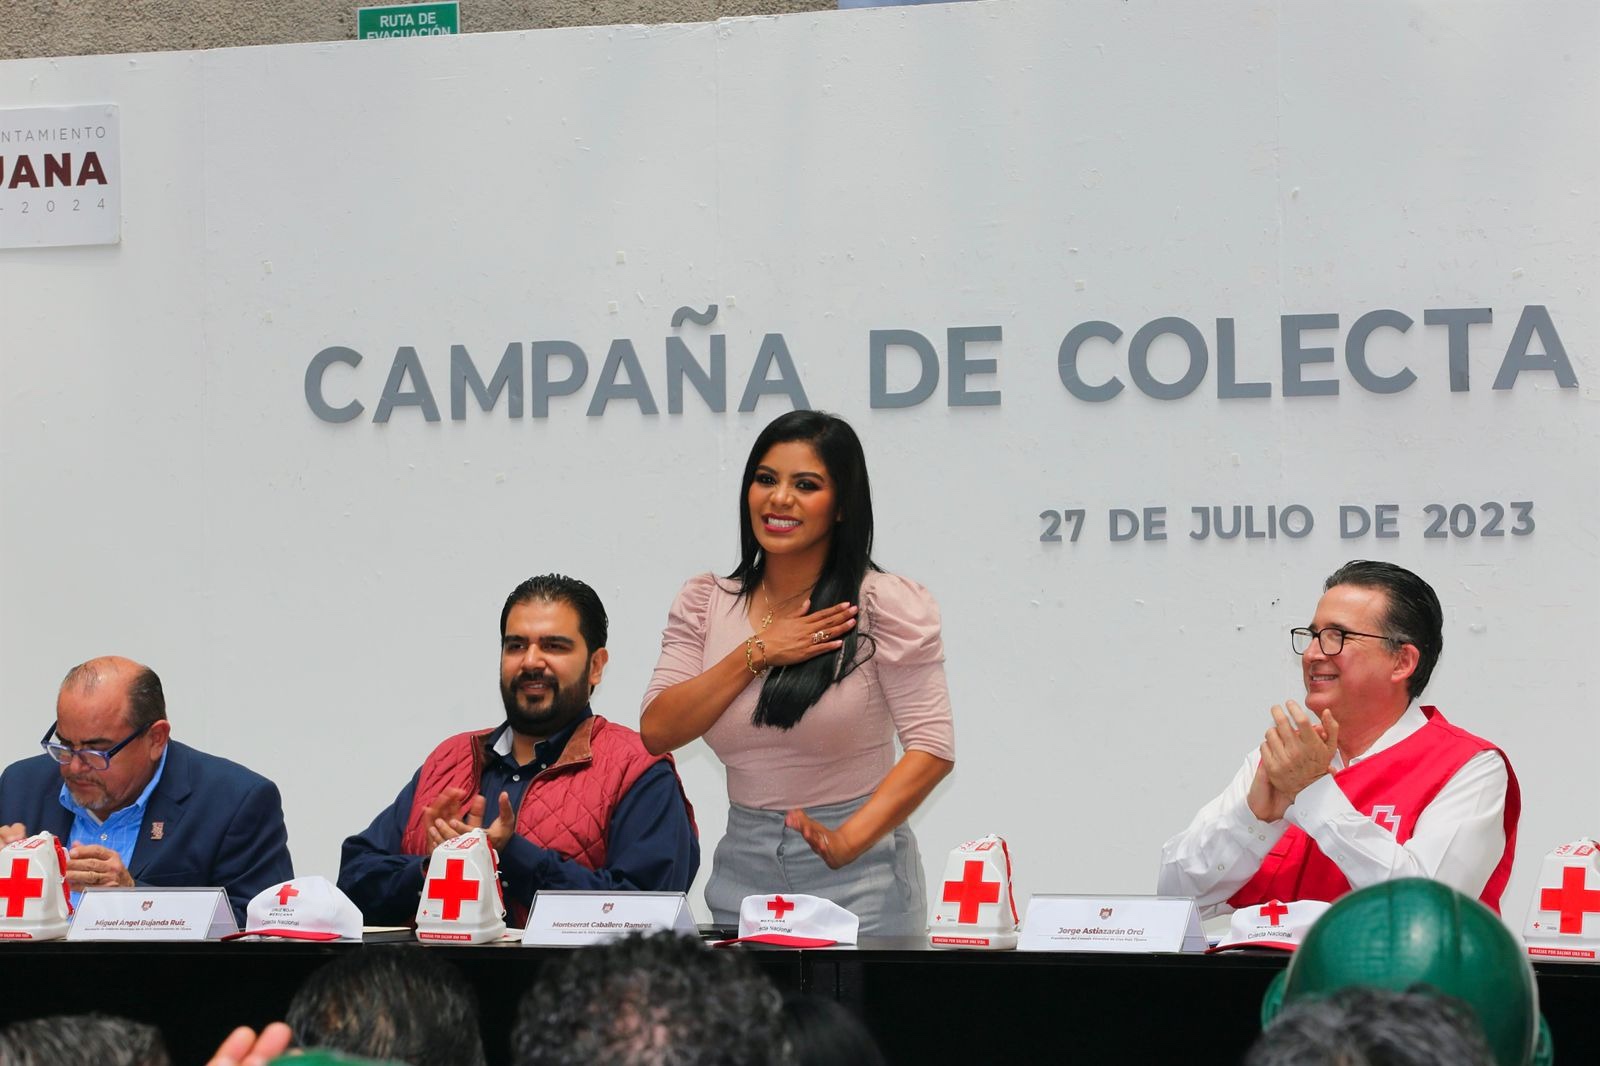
{"points": [[220, 824]]}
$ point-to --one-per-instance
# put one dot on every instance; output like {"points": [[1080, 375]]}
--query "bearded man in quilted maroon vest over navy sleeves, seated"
{"points": [[577, 801]]}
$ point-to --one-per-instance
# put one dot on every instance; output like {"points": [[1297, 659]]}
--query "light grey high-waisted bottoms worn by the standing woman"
{"points": [[762, 856]]}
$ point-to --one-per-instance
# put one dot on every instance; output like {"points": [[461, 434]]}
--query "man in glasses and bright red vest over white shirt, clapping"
{"points": [[1364, 785]]}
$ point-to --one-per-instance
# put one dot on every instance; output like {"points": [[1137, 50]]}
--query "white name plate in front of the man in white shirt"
{"points": [[1127, 924]]}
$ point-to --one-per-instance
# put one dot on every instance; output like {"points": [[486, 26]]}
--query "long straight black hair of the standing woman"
{"points": [[791, 691]]}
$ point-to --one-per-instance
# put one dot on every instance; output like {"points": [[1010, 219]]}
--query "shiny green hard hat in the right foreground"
{"points": [[1422, 932]]}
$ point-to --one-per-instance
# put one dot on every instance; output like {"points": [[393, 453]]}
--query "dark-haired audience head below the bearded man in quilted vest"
{"points": [[390, 1003]]}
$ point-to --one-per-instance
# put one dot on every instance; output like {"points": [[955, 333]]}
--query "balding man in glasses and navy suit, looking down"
{"points": [[135, 806]]}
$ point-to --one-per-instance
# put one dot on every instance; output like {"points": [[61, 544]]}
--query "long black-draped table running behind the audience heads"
{"points": [[924, 1006]]}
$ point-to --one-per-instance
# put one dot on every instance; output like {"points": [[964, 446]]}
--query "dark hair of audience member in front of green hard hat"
{"points": [[1374, 1027]]}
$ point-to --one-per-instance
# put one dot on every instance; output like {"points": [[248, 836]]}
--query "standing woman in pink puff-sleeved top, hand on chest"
{"points": [[801, 668]]}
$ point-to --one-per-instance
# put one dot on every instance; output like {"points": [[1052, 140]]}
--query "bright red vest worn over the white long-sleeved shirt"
{"points": [[1404, 779]]}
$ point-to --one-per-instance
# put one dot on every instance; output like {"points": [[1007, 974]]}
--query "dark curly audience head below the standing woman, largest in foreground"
{"points": [[650, 1001]]}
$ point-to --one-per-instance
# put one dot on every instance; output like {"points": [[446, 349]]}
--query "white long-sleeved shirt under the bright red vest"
{"points": [[1458, 838]]}
